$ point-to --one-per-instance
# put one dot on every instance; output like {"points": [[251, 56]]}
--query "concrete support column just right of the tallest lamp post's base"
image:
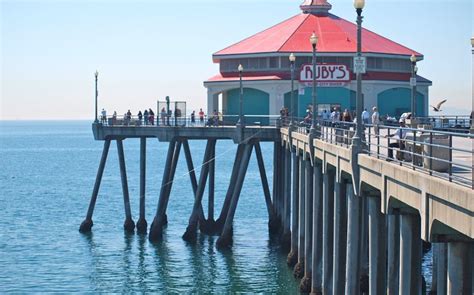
{"points": [[377, 247]]}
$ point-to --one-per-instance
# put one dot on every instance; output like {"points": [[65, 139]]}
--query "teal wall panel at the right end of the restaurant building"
{"points": [[397, 101]]}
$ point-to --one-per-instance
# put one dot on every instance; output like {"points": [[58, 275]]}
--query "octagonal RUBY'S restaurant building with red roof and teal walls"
{"points": [[267, 84]]}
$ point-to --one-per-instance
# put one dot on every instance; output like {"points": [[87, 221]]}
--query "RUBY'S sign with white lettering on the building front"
{"points": [[325, 73]]}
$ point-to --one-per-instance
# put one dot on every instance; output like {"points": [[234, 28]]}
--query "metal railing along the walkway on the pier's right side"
{"points": [[443, 154]]}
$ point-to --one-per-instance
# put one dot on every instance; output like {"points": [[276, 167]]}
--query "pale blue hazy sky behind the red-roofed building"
{"points": [[145, 50]]}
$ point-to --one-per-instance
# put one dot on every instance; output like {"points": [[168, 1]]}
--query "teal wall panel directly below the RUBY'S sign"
{"points": [[324, 95]]}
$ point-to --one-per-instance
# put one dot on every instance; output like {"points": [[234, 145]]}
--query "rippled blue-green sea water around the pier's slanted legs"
{"points": [[47, 173]]}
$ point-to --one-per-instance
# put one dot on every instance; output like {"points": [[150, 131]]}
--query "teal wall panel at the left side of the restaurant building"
{"points": [[255, 102]]}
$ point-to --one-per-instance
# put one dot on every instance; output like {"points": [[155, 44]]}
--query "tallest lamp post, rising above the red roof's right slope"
{"points": [[356, 140]]}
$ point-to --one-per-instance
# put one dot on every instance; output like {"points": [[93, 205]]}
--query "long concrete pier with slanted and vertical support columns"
{"points": [[349, 222]]}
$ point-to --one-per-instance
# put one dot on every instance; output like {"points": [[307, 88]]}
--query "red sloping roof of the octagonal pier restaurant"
{"points": [[335, 35]]}
